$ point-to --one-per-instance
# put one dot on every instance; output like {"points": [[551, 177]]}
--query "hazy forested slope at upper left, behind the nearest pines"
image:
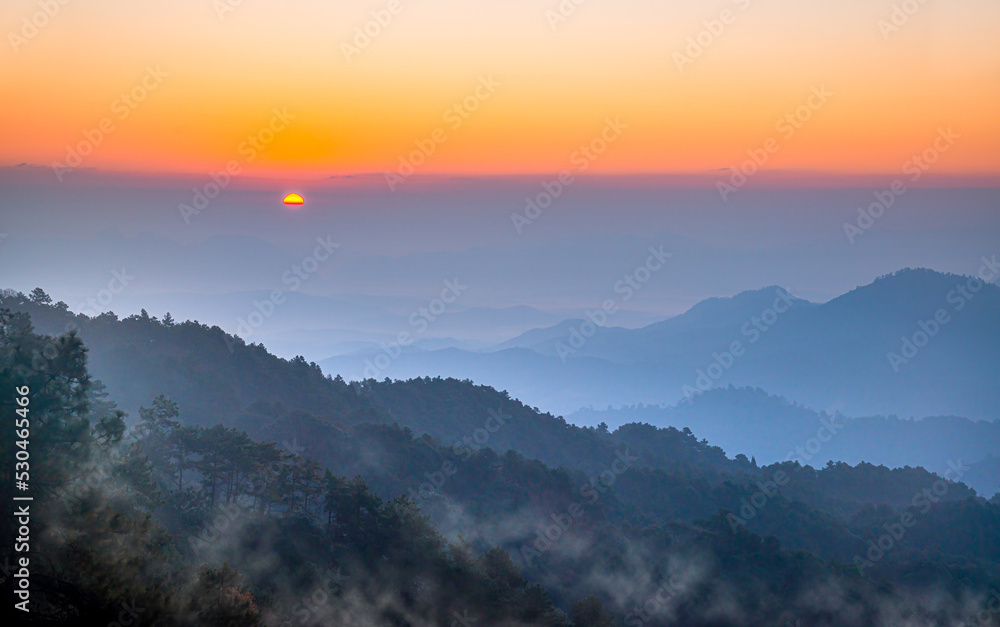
{"points": [[213, 376]]}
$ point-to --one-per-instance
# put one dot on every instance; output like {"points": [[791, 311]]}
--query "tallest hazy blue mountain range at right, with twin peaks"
{"points": [[914, 343]]}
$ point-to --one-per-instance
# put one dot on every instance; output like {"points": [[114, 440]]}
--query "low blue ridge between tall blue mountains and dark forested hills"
{"points": [[773, 430]]}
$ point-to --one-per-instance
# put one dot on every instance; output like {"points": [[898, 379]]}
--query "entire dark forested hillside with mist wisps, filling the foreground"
{"points": [[249, 515]]}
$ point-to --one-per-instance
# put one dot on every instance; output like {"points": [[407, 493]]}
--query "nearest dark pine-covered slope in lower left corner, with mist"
{"points": [[174, 525]]}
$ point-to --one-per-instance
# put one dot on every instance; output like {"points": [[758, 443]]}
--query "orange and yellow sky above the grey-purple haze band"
{"points": [[226, 74]]}
